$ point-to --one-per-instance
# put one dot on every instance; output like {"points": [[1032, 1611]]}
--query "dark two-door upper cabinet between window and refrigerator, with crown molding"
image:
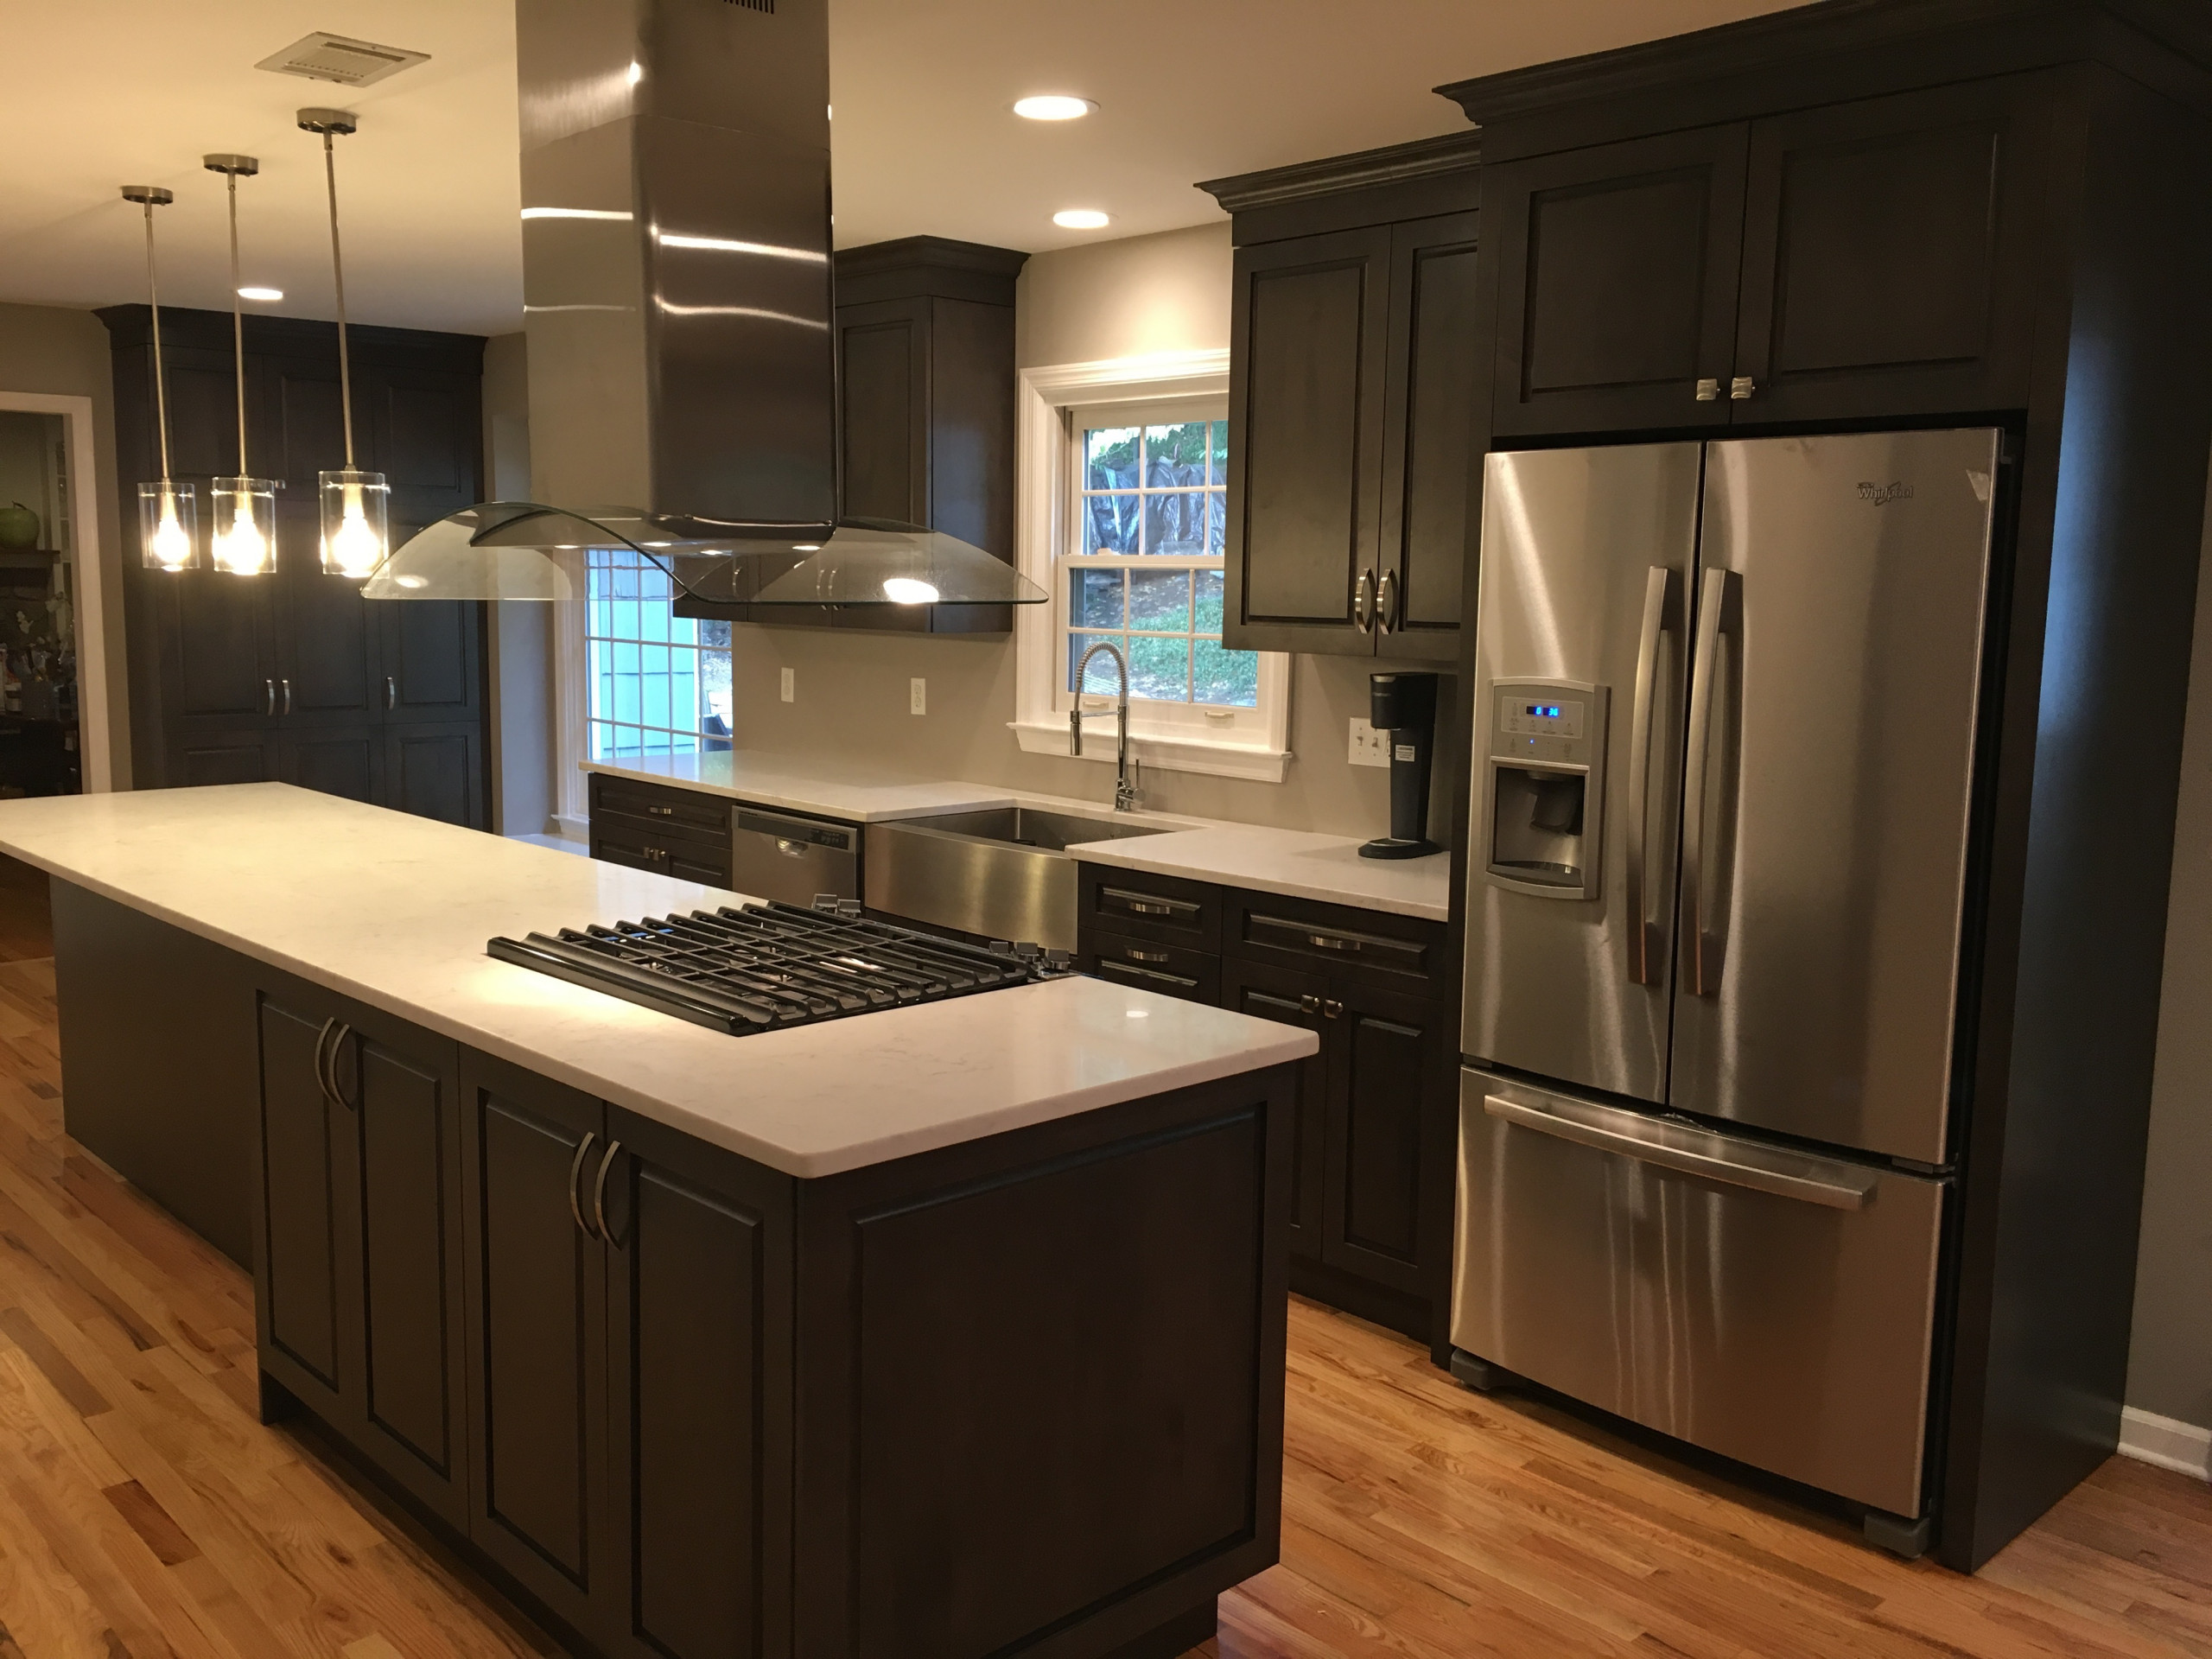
{"points": [[1355, 366]]}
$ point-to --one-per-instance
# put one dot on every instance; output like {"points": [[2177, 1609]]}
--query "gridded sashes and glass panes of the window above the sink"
{"points": [[1147, 565]]}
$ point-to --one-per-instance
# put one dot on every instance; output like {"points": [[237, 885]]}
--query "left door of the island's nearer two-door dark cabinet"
{"points": [[536, 1286]]}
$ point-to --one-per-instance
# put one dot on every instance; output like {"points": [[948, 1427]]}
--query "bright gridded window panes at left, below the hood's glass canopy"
{"points": [[658, 682]]}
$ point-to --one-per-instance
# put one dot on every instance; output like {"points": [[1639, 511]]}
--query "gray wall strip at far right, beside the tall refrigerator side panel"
{"points": [[2171, 1361]]}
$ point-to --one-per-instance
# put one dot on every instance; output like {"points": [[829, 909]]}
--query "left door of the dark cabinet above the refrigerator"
{"points": [[1616, 284]]}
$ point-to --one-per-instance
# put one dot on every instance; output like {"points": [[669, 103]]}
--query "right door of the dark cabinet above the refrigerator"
{"points": [[1890, 251]]}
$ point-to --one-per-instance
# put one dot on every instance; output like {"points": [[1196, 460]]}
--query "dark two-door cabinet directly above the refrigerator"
{"points": [[1846, 262]]}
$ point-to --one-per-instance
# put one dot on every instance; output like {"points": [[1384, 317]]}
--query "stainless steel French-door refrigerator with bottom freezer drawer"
{"points": [[1718, 881]]}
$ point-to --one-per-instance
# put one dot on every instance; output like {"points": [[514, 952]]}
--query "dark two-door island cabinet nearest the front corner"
{"points": [[629, 1333]]}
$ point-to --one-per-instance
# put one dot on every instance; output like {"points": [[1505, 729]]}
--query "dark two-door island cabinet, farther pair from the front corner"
{"points": [[359, 1242]]}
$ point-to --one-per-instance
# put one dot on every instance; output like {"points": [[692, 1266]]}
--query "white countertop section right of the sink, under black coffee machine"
{"points": [[1286, 862]]}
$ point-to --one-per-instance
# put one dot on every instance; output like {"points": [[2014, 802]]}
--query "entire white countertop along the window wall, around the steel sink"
{"points": [[1235, 855]]}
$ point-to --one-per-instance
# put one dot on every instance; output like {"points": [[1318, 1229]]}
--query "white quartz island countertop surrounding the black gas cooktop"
{"points": [[395, 912]]}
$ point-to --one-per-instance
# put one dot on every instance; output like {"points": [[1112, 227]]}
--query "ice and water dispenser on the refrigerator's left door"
{"points": [[1545, 786]]}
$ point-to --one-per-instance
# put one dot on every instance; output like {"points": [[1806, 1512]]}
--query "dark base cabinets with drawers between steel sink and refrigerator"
{"points": [[1370, 1114]]}
